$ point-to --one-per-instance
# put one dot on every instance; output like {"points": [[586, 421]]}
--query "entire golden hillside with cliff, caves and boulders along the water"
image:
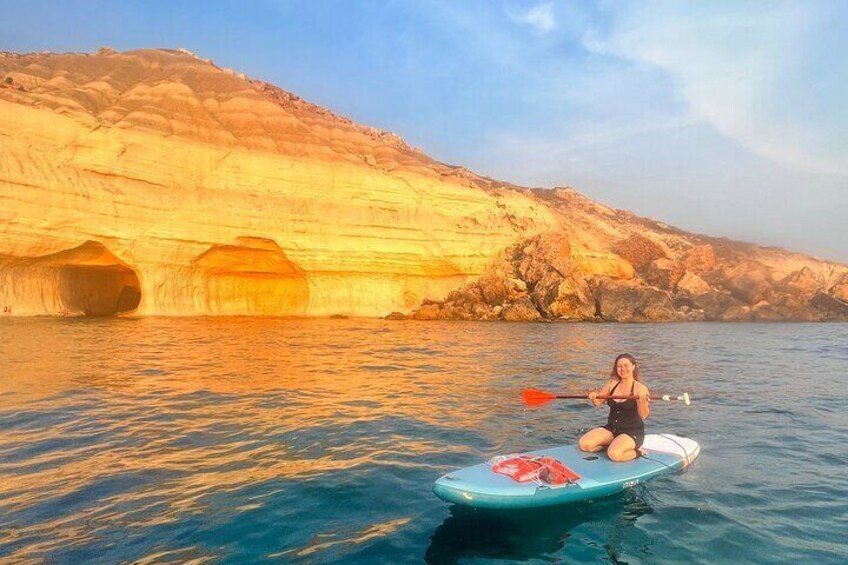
{"points": [[153, 182]]}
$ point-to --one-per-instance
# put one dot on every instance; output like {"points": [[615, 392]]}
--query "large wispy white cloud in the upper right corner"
{"points": [[742, 70]]}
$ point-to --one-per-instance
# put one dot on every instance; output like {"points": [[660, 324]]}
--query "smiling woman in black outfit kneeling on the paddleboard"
{"points": [[625, 430]]}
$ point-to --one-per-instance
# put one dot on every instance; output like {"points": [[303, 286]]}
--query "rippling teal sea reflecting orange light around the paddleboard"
{"points": [[238, 440]]}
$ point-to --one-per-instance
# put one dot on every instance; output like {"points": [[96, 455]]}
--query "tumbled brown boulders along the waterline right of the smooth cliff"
{"points": [[542, 281]]}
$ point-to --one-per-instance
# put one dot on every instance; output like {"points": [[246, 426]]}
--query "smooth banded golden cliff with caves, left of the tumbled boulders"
{"points": [[214, 194]]}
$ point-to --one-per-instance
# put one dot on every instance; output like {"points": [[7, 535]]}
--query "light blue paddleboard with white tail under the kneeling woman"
{"points": [[479, 487]]}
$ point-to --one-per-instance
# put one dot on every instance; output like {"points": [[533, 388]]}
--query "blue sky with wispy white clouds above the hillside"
{"points": [[727, 118]]}
